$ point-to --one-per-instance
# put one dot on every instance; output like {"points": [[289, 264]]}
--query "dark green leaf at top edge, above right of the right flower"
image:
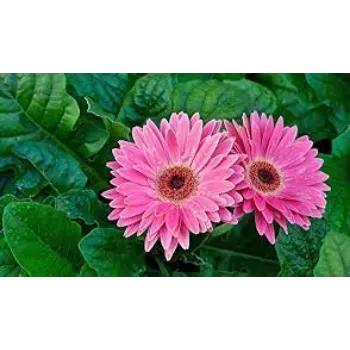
{"points": [[299, 104]]}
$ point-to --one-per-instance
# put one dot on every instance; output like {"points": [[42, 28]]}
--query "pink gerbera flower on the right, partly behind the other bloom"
{"points": [[283, 180]]}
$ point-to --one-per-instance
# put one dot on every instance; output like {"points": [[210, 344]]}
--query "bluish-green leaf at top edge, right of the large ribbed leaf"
{"points": [[107, 89]]}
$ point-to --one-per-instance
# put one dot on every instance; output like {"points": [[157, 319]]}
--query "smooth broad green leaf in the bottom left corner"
{"points": [[44, 241]]}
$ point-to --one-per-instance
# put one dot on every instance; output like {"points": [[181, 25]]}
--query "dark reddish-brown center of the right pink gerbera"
{"points": [[264, 177]]}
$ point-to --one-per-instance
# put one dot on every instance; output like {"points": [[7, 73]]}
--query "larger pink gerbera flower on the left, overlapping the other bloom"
{"points": [[174, 180]]}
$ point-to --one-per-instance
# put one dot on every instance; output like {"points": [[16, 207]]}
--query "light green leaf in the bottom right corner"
{"points": [[334, 257]]}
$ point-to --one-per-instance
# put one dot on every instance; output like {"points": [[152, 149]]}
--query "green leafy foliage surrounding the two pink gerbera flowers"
{"points": [[57, 131]]}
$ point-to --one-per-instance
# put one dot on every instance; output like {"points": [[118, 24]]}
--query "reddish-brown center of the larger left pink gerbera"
{"points": [[176, 183]]}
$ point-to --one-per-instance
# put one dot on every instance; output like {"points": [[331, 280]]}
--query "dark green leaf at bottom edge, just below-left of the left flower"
{"points": [[112, 255]]}
